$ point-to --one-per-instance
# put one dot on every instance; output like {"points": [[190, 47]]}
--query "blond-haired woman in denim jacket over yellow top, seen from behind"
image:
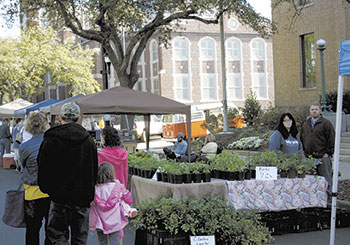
{"points": [[36, 203]]}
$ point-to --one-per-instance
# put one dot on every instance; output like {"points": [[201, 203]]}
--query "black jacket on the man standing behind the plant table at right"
{"points": [[318, 140]]}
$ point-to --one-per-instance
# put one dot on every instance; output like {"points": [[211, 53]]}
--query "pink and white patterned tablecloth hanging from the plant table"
{"points": [[277, 195]]}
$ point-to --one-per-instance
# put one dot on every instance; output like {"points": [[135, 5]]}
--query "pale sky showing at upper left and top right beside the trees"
{"points": [[261, 6]]}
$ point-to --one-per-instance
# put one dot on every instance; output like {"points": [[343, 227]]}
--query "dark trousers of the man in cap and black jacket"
{"points": [[63, 216]]}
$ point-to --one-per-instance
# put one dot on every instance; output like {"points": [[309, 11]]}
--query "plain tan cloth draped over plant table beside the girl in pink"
{"points": [[143, 189]]}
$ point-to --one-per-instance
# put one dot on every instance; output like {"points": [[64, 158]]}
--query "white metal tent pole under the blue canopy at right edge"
{"points": [[336, 157]]}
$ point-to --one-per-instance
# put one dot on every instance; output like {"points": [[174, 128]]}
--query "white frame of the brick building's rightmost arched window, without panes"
{"points": [[254, 86]]}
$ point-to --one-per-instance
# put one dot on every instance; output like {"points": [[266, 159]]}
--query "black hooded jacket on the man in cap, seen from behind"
{"points": [[68, 165]]}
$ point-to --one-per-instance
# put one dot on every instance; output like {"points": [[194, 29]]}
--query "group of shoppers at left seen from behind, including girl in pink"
{"points": [[70, 185]]}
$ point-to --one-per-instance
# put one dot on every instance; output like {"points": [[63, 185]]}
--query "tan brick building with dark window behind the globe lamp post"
{"points": [[297, 68]]}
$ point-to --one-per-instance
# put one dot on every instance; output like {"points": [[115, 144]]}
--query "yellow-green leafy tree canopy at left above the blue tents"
{"points": [[25, 60]]}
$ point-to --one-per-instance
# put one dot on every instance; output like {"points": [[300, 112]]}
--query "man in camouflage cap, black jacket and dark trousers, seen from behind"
{"points": [[67, 172]]}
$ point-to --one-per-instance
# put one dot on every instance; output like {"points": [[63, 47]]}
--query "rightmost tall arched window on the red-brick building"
{"points": [[258, 63]]}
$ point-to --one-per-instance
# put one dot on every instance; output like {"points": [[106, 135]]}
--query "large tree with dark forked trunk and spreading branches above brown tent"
{"points": [[104, 21]]}
